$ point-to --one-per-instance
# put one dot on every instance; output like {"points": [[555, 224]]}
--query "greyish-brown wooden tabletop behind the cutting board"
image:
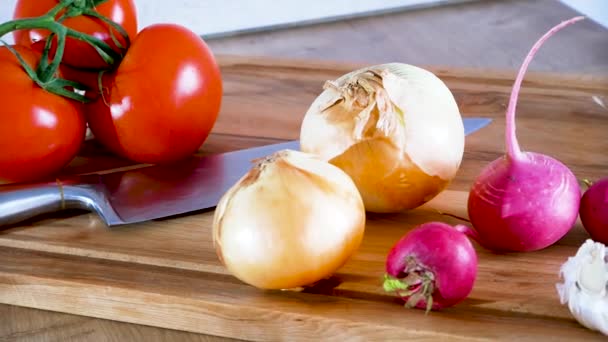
{"points": [[480, 34]]}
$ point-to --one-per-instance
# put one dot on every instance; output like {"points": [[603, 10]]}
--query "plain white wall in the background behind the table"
{"points": [[221, 17]]}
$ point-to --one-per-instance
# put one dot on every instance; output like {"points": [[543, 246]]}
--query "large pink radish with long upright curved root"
{"points": [[524, 201]]}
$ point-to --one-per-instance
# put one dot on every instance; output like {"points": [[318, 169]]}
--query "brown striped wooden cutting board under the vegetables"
{"points": [[165, 273]]}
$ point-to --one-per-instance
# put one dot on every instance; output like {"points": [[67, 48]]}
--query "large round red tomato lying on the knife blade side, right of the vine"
{"points": [[162, 101]]}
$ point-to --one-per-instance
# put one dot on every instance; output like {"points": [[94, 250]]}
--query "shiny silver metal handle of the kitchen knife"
{"points": [[21, 202]]}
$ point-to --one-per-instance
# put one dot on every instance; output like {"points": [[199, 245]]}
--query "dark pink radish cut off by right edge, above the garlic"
{"points": [[594, 211]]}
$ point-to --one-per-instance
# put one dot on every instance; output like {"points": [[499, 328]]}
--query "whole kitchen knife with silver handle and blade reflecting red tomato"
{"points": [[145, 193]]}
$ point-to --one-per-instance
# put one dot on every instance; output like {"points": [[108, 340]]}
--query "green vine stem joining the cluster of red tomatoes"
{"points": [[45, 73]]}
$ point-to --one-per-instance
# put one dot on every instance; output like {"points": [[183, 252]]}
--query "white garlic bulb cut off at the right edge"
{"points": [[585, 286]]}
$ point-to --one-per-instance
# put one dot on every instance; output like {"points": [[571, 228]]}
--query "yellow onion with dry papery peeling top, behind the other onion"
{"points": [[394, 128]]}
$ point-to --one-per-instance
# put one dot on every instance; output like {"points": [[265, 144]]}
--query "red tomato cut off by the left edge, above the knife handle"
{"points": [[40, 132]]}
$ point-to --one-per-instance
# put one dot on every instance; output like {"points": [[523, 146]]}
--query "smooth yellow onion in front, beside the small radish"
{"points": [[291, 221]]}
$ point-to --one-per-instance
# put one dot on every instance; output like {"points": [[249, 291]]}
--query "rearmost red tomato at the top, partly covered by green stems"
{"points": [[77, 53]]}
